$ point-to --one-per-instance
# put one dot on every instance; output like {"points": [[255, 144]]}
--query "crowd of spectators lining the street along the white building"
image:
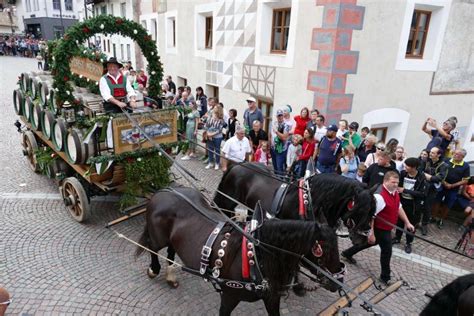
{"points": [[431, 183]]}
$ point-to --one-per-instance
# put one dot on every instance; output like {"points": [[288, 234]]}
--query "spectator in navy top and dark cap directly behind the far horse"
{"points": [[329, 151]]}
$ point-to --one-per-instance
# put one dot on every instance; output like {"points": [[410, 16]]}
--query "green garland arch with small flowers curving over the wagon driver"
{"points": [[80, 32]]}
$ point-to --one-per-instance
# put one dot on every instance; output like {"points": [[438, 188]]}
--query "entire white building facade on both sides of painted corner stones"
{"points": [[388, 90]]}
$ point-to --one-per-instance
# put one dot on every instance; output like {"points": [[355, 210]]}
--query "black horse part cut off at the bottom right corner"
{"points": [[445, 302]]}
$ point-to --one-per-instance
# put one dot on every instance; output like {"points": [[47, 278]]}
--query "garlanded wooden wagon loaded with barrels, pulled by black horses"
{"points": [[67, 134]]}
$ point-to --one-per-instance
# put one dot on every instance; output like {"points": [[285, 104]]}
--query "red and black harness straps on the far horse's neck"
{"points": [[304, 200]]}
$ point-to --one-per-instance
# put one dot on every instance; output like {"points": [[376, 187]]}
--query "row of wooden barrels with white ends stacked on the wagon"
{"points": [[35, 101]]}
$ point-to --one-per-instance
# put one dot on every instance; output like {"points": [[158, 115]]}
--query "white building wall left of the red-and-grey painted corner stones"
{"points": [[234, 47]]}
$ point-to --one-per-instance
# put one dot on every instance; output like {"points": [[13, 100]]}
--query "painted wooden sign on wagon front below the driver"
{"points": [[160, 125]]}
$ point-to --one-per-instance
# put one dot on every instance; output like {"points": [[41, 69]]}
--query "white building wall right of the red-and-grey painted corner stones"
{"points": [[397, 98]]}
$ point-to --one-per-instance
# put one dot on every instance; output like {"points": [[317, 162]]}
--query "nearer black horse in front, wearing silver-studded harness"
{"points": [[182, 220]]}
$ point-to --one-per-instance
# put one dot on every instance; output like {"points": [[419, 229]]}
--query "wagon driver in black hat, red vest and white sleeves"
{"points": [[115, 88]]}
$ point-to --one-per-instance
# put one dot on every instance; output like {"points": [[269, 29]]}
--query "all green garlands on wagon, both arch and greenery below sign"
{"points": [[146, 170]]}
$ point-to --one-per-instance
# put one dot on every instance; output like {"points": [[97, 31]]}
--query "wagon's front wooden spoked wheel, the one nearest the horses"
{"points": [[75, 199]]}
